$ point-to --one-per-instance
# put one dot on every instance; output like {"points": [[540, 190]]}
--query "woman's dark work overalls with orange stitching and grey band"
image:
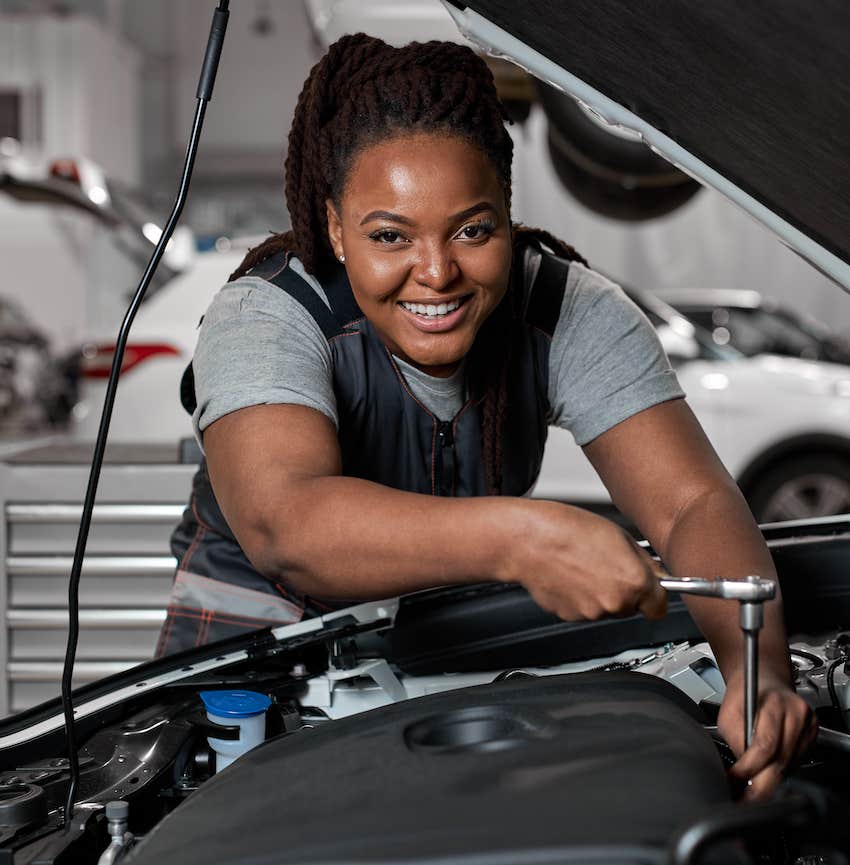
{"points": [[386, 435]]}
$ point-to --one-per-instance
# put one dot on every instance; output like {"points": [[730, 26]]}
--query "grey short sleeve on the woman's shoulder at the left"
{"points": [[257, 345]]}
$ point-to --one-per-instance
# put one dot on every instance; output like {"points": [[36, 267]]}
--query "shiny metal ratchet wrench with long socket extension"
{"points": [[751, 593]]}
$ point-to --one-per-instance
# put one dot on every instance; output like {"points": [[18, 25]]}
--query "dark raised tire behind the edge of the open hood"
{"points": [[611, 175]]}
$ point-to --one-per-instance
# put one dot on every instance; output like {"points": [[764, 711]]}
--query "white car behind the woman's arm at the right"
{"points": [[781, 425]]}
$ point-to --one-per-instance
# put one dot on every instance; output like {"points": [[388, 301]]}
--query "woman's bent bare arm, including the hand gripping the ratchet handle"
{"points": [[275, 471]]}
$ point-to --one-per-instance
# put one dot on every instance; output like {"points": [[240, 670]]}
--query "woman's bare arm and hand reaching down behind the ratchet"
{"points": [[663, 473]]}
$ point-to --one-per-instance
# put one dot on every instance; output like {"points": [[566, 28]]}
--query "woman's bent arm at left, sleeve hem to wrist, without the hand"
{"points": [[276, 473]]}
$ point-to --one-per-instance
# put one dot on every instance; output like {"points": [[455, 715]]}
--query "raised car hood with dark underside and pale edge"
{"points": [[751, 100]]}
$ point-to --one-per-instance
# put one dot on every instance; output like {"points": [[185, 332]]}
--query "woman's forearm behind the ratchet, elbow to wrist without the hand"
{"points": [[716, 536]]}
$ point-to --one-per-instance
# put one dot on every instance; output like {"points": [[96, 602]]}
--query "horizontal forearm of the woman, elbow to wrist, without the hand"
{"points": [[348, 538]]}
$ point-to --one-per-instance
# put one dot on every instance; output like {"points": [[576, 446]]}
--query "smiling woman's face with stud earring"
{"points": [[427, 243]]}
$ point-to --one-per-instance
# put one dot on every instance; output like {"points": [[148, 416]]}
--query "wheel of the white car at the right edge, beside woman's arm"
{"points": [[802, 489]]}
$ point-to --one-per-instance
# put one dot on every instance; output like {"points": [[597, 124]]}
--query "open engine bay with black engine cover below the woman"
{"points": [[448, 725]]}
